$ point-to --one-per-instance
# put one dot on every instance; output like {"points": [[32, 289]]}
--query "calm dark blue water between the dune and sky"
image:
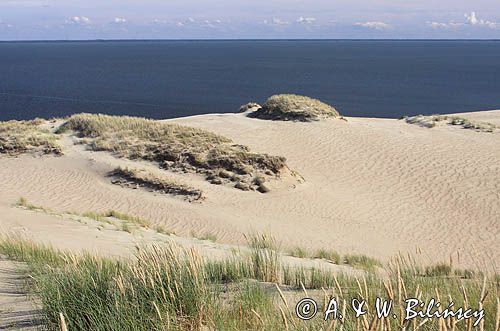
{"points": [[164, 79]]}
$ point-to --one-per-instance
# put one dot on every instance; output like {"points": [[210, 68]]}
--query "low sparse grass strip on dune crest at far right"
{"points": [[434, 120]]}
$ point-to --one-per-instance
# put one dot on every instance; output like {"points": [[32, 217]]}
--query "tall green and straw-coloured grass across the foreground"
{"points": [[170, 288]]}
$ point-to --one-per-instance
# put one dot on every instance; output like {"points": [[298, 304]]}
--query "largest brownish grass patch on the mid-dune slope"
{"points": [[176, 148]]}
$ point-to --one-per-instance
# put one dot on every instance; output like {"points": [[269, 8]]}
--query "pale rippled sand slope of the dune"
{"points": [[372, 186]]}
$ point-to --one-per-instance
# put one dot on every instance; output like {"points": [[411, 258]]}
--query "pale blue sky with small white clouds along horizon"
{"points": [[249, 19]]}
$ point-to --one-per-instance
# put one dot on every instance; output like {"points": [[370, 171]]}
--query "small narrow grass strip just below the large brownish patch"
{"points": [[136, 178]]}
